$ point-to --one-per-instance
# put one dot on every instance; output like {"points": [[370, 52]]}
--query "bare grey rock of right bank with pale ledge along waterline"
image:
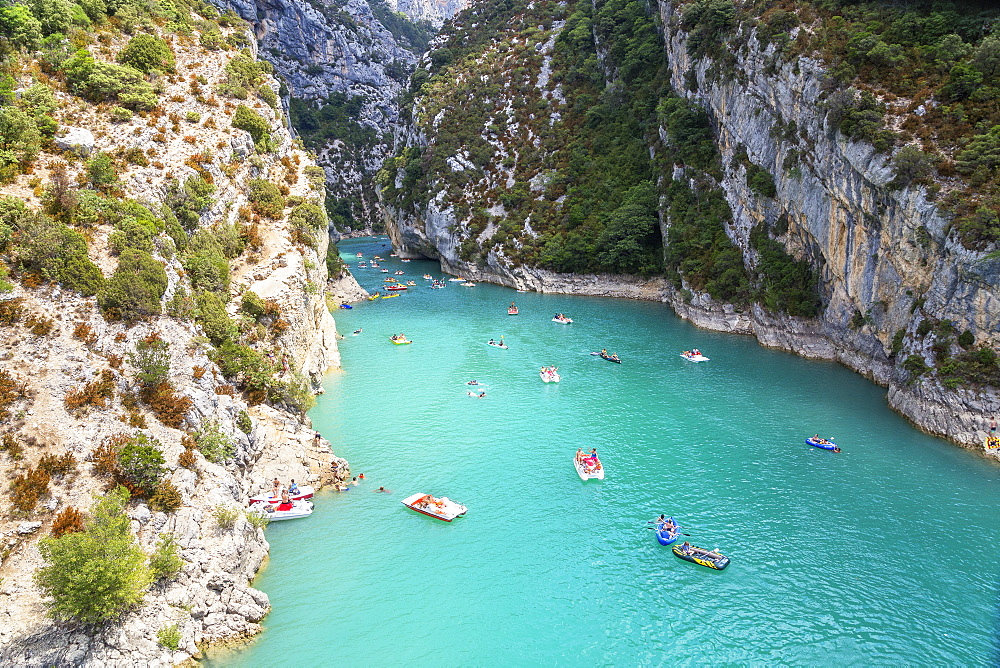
{"points": [[884, 255]]}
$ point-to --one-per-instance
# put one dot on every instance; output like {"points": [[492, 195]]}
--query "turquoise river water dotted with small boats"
{"points": [[882, 554]]}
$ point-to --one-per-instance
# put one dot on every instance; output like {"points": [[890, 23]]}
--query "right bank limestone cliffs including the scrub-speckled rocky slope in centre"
{"points": [[885, 256]]}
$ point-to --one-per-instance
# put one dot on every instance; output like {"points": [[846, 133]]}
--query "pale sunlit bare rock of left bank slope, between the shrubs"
{"points": [[211, 600]]}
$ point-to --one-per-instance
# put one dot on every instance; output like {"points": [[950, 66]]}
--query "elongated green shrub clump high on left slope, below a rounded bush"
{"points": [[98, 81]]}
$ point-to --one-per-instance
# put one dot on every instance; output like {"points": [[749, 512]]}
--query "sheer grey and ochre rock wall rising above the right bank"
{"points": [[884, 253]]}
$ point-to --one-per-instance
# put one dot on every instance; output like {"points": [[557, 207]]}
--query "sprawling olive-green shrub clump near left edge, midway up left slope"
{"points": [[55, 252]]}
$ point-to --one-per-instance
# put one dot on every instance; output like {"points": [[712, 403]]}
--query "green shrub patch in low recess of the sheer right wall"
{"points": [[786, 284]]}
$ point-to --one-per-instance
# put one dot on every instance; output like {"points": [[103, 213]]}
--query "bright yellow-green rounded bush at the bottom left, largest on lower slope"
{"points": [[94, 575]]}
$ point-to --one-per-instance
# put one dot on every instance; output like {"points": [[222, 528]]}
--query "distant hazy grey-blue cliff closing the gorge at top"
{"points": [[358, 49]]}
